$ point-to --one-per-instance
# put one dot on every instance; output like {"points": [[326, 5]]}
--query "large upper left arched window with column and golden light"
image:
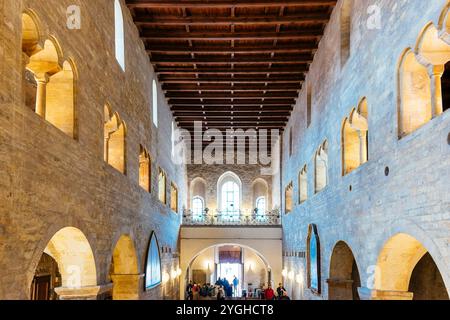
{"points": [[48, 81]]}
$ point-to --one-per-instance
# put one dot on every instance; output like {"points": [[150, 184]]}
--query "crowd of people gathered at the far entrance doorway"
{"points": [[223, 290]]}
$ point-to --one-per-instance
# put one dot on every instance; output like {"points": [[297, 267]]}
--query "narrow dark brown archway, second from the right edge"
{"points": [[344, 278]]}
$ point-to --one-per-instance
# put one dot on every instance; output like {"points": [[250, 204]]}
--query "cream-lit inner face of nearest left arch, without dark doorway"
{"points": [[73, 254]]}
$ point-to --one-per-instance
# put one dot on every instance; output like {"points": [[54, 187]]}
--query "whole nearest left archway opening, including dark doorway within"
{"points": [[68, 255]]}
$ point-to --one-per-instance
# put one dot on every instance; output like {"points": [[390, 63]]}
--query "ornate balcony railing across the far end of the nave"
{"points": [[232, 218]]}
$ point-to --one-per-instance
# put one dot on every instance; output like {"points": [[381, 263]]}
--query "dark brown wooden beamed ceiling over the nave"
{"points": [[231, 63]]}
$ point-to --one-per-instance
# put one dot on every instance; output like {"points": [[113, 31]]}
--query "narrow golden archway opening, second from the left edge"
{"points": [[124, 270]]}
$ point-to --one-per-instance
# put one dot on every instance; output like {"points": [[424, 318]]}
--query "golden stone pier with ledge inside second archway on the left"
{"points": [[127, 286]]}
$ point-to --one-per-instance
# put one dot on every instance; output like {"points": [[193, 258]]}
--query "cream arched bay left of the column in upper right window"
{"points": [[414, 94]]}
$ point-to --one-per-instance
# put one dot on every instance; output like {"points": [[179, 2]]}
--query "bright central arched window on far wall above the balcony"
{"points": [[229, 194]]}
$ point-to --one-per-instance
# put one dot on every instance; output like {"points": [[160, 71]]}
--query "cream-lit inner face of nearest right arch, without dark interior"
{"points": [[396, 263]]}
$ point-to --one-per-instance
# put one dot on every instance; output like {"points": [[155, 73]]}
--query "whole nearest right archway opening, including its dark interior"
{"points": [[405, 266]]}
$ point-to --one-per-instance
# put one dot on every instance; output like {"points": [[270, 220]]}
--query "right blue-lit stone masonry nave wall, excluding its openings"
{"points": [[414, 198]]}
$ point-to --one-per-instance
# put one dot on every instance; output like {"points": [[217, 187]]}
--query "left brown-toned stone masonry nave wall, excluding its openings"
{"points": [[49, 181]]}
